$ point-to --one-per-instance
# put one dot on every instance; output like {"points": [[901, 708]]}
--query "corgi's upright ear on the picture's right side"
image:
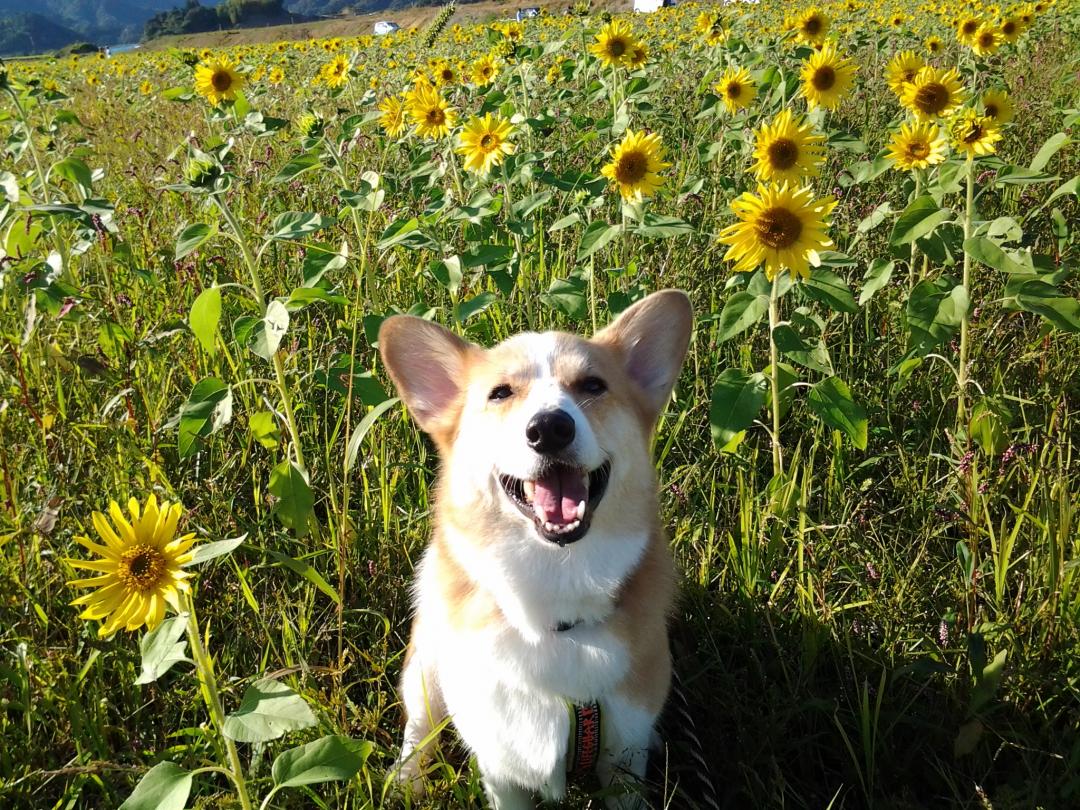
{"points": [[653, 337]]}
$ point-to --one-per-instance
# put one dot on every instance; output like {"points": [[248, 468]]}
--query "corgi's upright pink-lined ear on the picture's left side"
{"points": [[428, 366]]}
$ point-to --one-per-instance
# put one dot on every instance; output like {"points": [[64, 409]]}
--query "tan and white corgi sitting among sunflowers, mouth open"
{"points": [[548, 582]]}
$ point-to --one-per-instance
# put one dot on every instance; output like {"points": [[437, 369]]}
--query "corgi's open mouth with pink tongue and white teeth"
{"points": [[561, 502]]}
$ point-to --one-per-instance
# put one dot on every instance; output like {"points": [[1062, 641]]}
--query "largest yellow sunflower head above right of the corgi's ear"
{"points": [[782, 228]]}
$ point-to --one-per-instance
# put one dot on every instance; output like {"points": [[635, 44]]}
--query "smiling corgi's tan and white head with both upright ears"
{"points": [[536, 431]]}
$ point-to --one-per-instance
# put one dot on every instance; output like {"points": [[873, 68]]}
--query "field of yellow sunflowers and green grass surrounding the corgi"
{"points": [[212, 503]]}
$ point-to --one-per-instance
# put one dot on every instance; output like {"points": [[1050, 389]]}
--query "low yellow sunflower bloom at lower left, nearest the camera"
{"points": [[141, 566]]}
